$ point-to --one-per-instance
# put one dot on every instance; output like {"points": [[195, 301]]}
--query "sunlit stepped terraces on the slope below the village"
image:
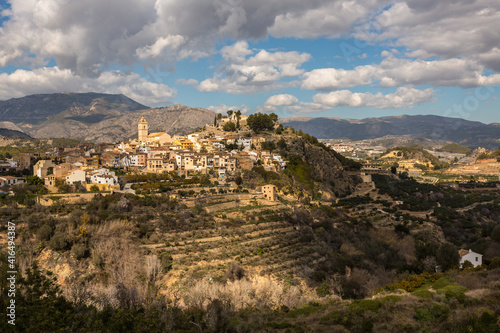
{"points": [[257, 234]]}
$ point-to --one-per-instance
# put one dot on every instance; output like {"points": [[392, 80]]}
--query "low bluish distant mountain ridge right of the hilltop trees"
{"points": [[471, 134]]}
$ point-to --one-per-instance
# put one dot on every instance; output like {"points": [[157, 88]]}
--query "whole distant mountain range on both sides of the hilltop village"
{"points": [[106, 118]]}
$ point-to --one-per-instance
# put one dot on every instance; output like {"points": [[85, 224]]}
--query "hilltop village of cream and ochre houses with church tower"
{"points": [[217, 151]]}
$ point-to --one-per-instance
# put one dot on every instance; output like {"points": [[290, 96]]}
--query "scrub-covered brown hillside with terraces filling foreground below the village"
{"points": [[224, 259]]}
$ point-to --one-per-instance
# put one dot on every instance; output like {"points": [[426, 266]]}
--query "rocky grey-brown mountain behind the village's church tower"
{"points": [[94, 117]]}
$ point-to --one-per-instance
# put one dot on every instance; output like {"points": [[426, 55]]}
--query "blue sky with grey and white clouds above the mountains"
{"points": [[315, 58]]}
